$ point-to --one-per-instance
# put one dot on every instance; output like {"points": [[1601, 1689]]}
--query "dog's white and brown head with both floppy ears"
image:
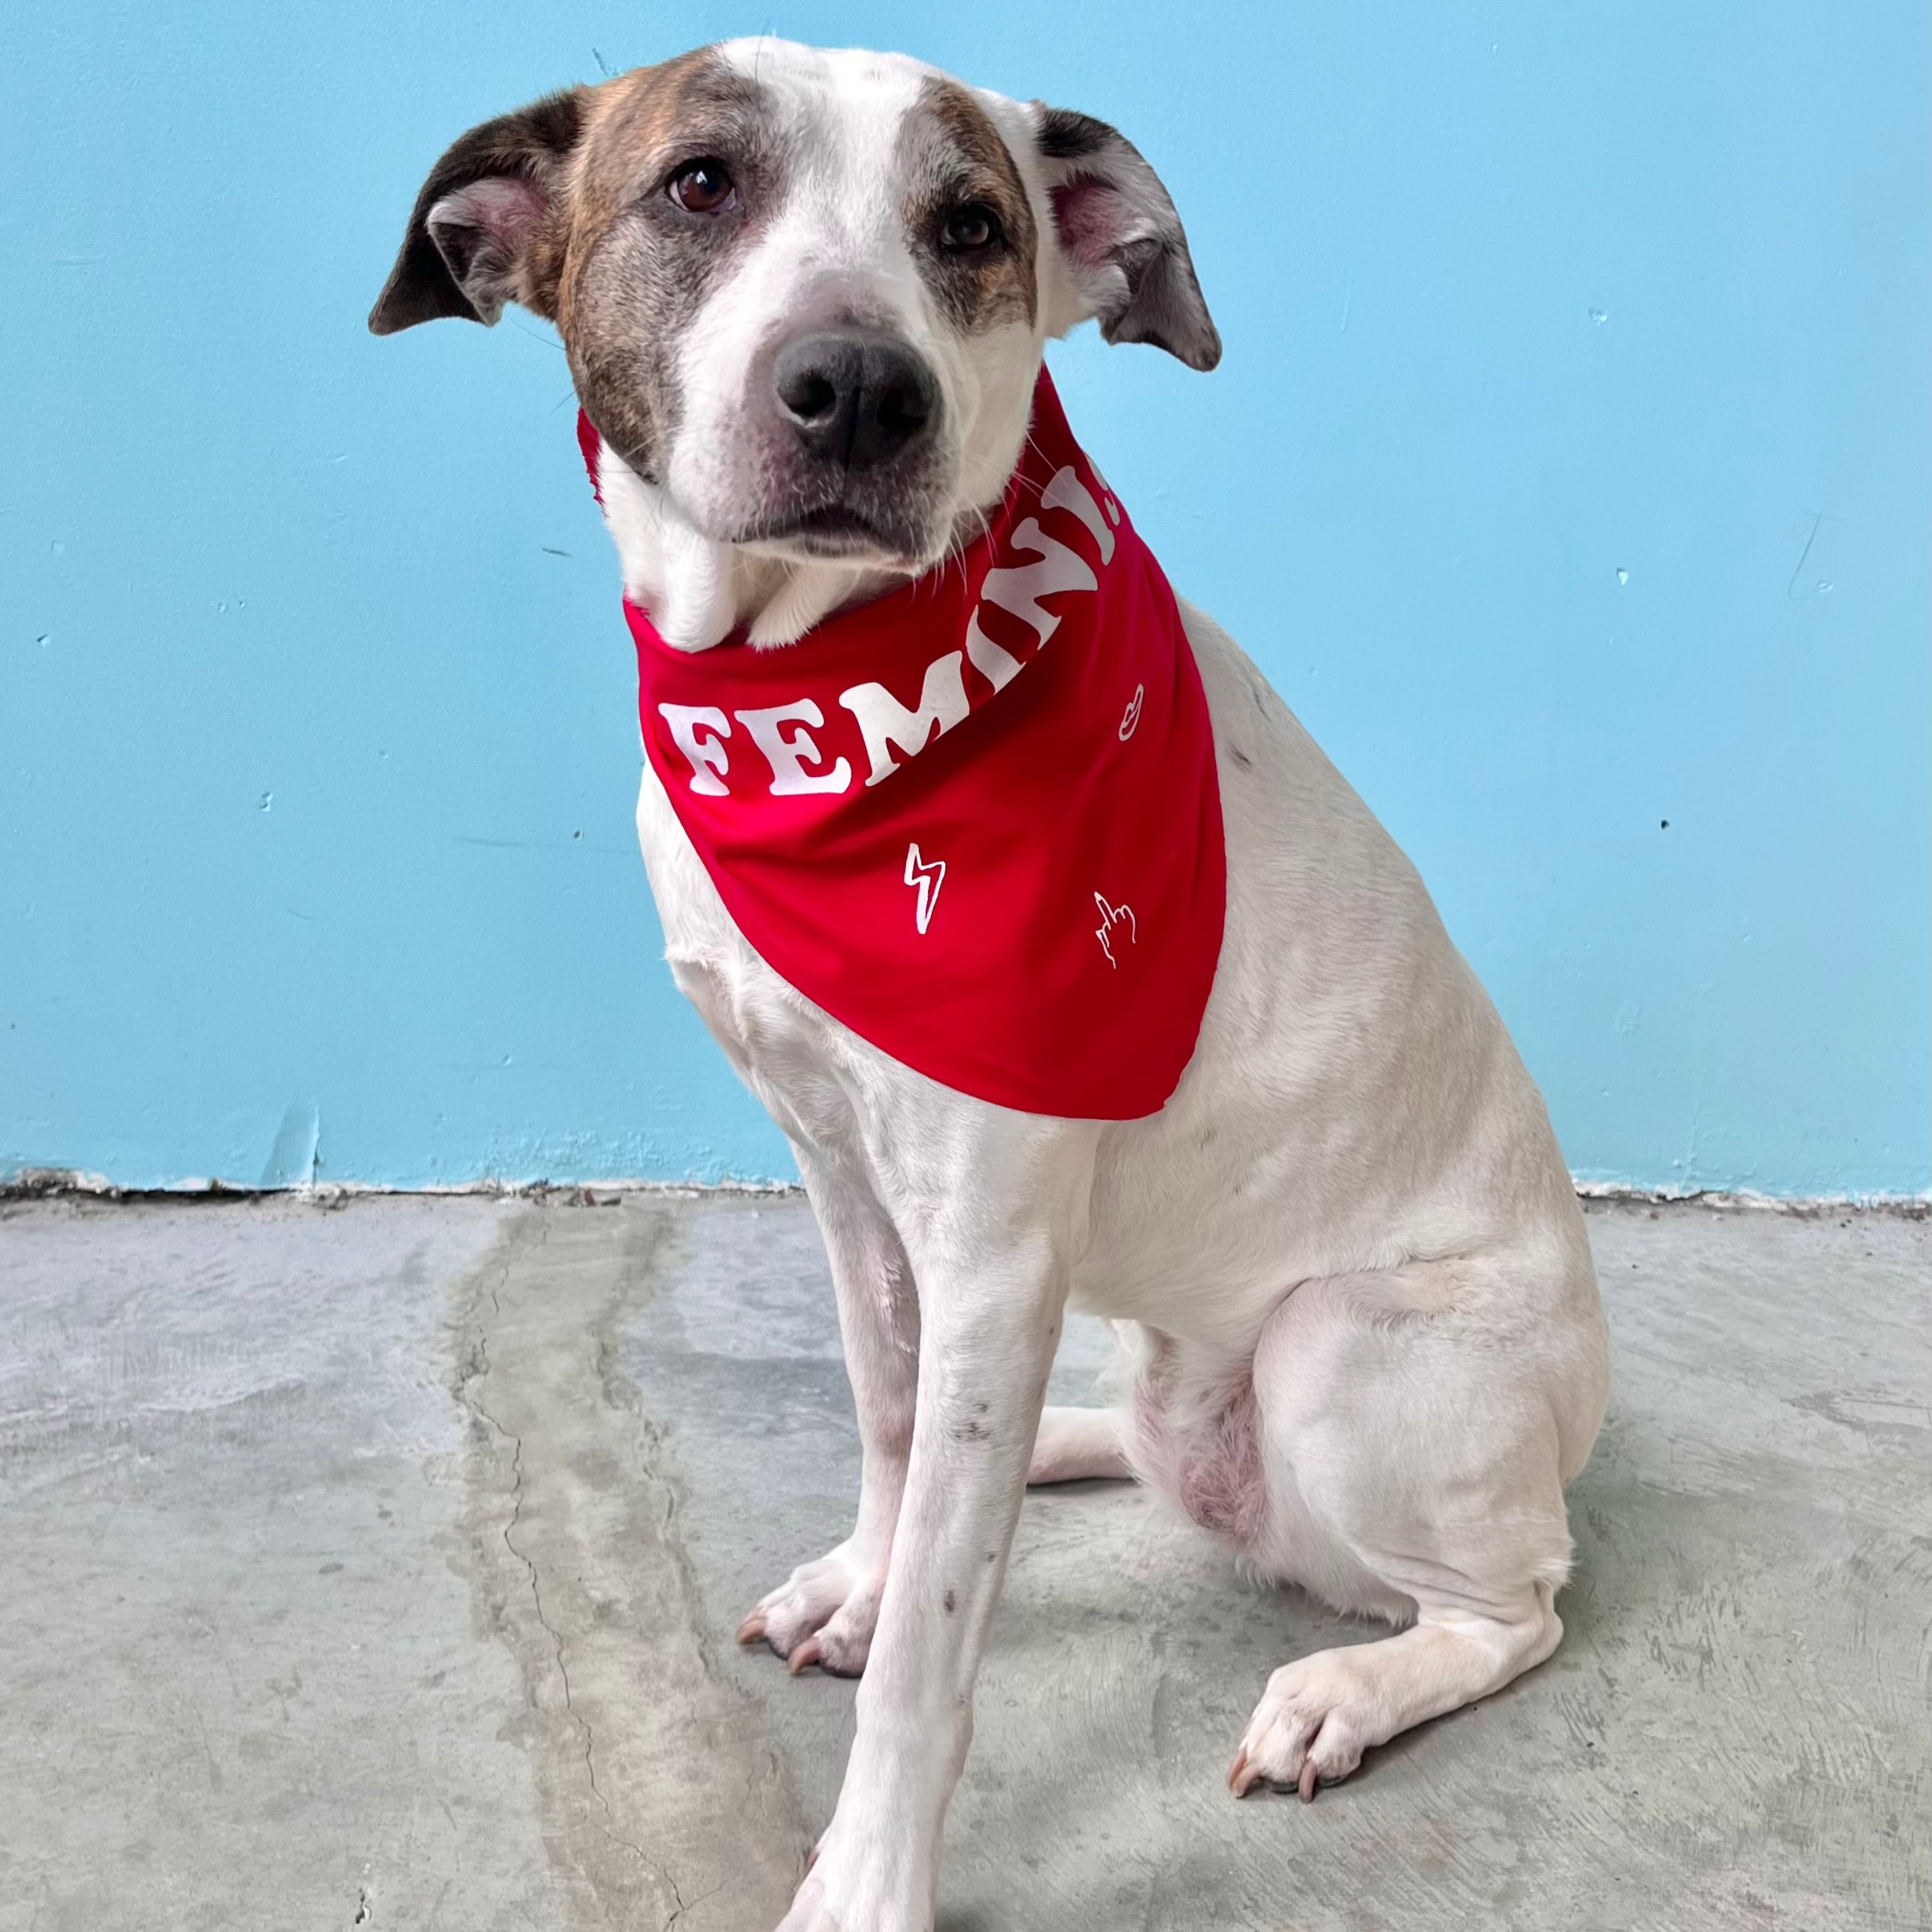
{"points": [[805, 295]]}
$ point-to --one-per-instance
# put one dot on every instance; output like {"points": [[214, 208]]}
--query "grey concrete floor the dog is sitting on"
{"points": [[376, 1566]]}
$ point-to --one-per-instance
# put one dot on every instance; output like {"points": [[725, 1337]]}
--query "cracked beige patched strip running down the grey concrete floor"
{"points": [[538, 1369]]}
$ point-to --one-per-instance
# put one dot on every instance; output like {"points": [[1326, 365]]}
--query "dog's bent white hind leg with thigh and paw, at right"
{"points": [[1415, 1435]]}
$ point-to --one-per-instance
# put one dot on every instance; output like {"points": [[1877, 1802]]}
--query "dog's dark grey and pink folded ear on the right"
{"points": [[1122, 239]]}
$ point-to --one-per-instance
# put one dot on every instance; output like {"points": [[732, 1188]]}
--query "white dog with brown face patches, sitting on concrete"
{"points": [[807, 298]]}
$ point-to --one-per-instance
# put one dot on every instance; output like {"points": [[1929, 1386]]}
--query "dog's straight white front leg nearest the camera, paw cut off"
{"points": [[992, 1218]]}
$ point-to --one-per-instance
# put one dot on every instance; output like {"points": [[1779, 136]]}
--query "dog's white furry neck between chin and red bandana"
{"points": [[696, 590]]}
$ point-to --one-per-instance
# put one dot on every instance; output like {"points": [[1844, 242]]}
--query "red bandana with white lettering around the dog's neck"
{"points": [[1031, 909]]}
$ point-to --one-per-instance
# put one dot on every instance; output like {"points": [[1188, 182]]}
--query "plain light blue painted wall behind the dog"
{"points": [[1568, 472]]}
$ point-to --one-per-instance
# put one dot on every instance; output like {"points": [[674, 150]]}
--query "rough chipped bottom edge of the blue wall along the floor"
{"points": [[57, 1183]]}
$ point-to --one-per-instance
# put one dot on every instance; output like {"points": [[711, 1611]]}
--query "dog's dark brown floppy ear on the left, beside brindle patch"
{"points": [[482, 231]]}
